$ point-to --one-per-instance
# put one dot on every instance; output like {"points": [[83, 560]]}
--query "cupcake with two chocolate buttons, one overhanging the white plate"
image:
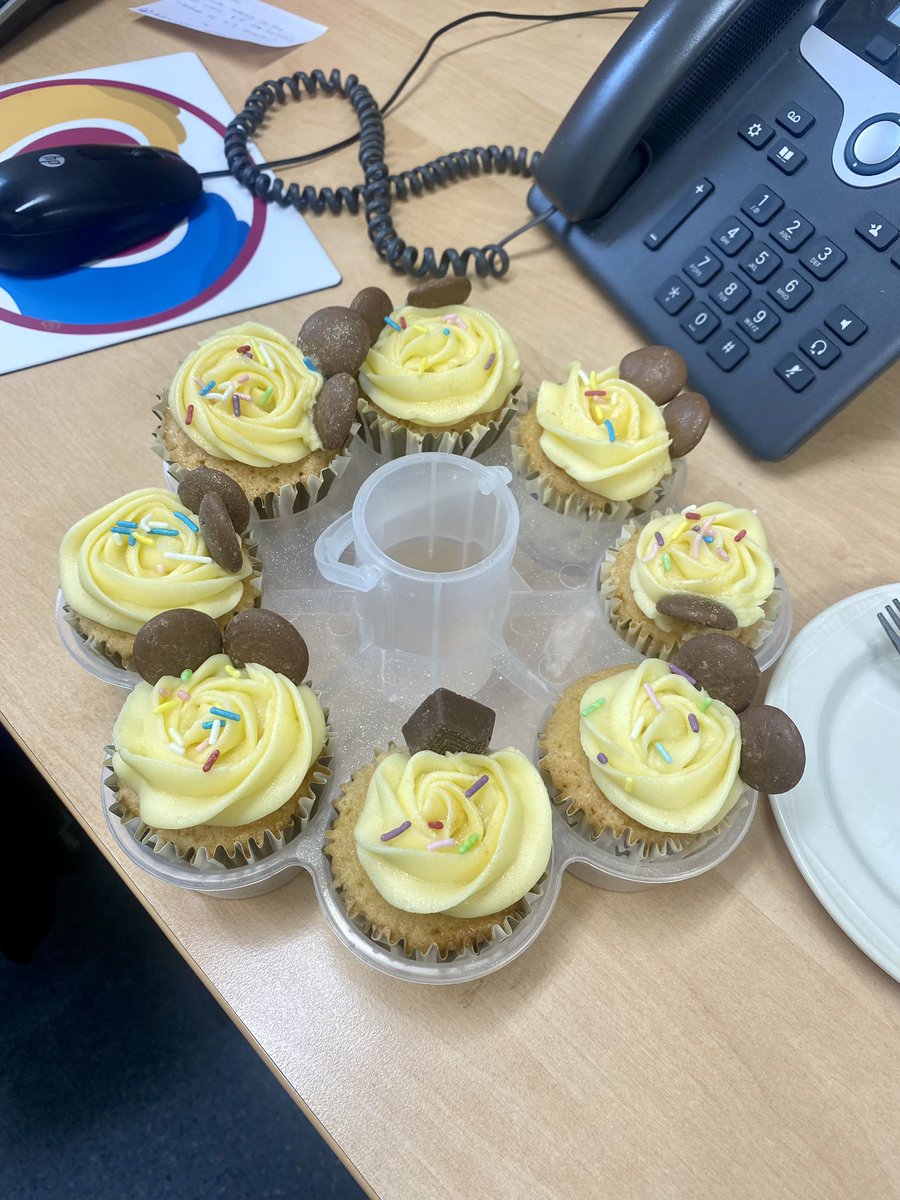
{"points": [[662, 755]]}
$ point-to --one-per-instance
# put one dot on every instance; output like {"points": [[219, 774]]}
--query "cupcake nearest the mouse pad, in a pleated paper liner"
{"points": [[248, 404]]}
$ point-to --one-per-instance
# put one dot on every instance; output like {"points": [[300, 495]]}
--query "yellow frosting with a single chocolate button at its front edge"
{"points": [[739, 574]]}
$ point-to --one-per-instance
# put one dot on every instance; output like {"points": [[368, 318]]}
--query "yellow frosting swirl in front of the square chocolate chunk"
{"points": [[506, 824]]}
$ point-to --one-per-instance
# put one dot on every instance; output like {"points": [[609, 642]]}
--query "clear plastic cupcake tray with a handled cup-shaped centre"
{"points": [[512, 619]]}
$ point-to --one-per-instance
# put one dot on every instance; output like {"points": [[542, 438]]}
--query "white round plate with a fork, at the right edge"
{"points": [[841, 682]]}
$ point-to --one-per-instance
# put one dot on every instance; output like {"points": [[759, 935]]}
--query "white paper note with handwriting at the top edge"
{"points": [[243, 21]]}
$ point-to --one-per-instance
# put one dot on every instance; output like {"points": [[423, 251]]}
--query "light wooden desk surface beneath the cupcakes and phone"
{"points": [[718, 1040]]}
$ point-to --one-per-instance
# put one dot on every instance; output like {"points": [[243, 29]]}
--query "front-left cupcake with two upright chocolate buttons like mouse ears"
{"points": [[227, 758]]}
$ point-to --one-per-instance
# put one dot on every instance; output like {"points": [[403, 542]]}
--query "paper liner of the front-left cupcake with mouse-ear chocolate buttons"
{"points": [[245, 853]]}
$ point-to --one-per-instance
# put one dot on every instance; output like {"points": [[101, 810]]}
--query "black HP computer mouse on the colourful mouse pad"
{"points": [[68, 207]]}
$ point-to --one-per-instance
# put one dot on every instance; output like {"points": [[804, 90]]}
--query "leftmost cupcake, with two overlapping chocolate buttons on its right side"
{"points": [[151, 551]]}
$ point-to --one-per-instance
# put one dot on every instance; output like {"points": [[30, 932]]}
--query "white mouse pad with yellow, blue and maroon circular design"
{"points": [[232, 253]]}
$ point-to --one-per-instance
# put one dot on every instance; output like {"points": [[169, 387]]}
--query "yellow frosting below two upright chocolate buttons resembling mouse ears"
{"points": [[263, 758]]}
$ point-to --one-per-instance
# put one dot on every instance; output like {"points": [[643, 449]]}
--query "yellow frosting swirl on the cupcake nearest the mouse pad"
{"points": [[274, 427]]}
